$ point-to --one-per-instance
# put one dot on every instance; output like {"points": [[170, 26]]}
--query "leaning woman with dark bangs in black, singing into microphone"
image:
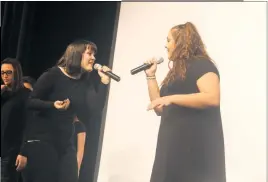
{"points": [[58, 95]]}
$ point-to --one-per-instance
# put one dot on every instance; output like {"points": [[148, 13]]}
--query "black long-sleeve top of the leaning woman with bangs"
{"points": [[55, 126]]}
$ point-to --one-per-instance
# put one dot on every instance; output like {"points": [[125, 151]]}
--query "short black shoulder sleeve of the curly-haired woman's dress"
{"points": [[201, 67]]}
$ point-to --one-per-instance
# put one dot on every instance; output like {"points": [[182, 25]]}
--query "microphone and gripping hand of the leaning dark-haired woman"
{"points": [[106, 73]]}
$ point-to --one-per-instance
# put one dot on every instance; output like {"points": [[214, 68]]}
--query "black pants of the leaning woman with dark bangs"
{"points": [[46, 164]]}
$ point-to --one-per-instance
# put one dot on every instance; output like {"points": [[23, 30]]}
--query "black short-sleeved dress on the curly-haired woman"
{"points": [[190, 146]]}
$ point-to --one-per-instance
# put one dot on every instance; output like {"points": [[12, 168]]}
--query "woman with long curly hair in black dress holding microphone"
{"points": [[190, 146]]}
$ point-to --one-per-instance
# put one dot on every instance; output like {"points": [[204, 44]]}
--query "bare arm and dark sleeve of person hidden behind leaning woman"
{"points": [[79, 141]]}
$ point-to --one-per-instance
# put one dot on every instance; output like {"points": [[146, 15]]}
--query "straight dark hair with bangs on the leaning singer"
{"points": [[72, 57]]}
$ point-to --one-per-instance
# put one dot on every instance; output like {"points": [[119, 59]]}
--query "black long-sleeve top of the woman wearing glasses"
{"points": [[13, 119]]}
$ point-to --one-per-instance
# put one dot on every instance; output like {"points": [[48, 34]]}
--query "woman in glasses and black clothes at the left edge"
{"points": [[13, 100]]}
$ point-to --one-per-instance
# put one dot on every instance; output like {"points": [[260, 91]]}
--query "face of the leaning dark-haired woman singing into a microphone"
{"points": [[88, 59]]}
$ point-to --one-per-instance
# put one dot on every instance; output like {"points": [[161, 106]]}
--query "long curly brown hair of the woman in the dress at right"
{"points": [[188, 47]]}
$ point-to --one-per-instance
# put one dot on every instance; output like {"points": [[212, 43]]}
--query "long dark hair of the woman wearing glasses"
{"points": [[18, 83]]}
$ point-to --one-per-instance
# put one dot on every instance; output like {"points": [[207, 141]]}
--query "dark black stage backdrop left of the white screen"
{"points": [[37, 34]]}
